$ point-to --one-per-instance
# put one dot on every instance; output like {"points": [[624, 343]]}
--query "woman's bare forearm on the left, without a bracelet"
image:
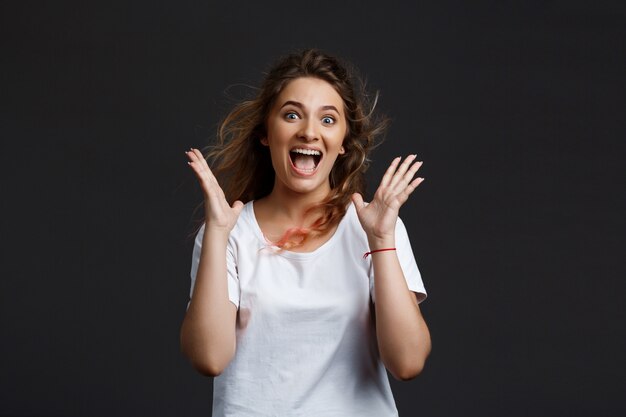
{"points": [[208, 329]]}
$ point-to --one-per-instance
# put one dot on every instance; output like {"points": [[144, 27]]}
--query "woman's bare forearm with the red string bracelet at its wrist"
{"points": [[403, 337]]}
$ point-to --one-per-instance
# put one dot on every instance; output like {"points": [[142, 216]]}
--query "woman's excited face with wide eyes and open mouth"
{"points": [[305, 132]]}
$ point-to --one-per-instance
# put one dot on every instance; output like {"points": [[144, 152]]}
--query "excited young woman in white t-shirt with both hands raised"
{"points": [[302, 294]]}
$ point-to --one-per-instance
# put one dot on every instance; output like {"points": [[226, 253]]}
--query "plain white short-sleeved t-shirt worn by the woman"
{"points": [[306, 342]]}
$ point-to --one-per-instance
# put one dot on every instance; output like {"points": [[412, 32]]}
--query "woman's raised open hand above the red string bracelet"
{"points": [[379, 217]]}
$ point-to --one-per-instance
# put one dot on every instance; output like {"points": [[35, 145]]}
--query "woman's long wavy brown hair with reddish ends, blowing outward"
{"points": [[243, 165]]}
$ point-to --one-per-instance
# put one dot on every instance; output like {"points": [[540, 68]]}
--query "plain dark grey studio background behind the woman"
{"points": [[517, 109]]}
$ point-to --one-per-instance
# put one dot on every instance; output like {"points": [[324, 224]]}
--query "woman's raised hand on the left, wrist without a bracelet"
{"points": [[219, 216]]}
